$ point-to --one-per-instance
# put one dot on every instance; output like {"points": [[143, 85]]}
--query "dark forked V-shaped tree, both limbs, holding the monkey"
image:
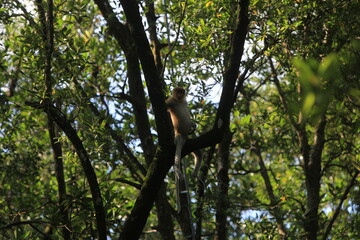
{"points": [[164, 158]]}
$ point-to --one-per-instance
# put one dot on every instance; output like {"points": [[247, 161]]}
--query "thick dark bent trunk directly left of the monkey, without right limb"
{"points": [[164, 159]]}
